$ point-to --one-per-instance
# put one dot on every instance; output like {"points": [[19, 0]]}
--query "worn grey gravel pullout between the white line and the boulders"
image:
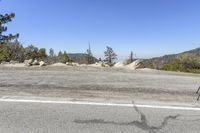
{"points": [[93, 82]]}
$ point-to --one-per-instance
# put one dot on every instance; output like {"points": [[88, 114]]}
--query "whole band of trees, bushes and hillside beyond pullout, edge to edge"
{"points": [[11, 50]]}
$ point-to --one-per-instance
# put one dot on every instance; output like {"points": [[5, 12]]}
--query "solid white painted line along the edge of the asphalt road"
{"points": [[101, 104]]}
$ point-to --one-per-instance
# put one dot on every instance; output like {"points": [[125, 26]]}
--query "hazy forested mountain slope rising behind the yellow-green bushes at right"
{"points": [[158, 62]]}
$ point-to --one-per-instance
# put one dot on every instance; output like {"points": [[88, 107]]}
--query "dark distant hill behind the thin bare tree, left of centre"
{"points": [[79, 57]]}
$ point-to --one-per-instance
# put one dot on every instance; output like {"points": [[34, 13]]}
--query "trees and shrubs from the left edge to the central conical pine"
{"points": [[11, 50]]}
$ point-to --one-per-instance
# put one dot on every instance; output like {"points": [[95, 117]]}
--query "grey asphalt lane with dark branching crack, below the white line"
{"points": [[69, 118]]}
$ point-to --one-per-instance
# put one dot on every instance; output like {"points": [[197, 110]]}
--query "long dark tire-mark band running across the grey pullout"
{"points": [[98, 88]]}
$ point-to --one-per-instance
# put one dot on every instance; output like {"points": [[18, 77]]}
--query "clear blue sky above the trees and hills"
{"points": [[147, 27]]}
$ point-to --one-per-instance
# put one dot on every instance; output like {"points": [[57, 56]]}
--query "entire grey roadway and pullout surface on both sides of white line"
{"points": [[97, 84]]}
